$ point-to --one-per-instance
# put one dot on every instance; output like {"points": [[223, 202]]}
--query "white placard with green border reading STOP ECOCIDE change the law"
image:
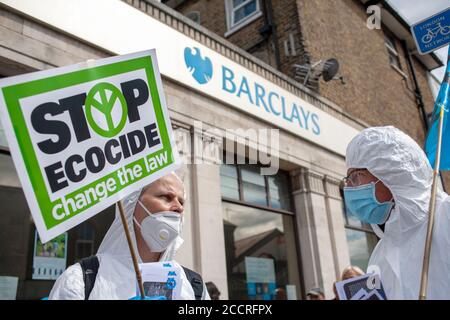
{"points": [[84, 136]]}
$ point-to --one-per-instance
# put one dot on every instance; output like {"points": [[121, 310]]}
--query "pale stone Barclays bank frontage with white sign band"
{"points": [[255, 236]]}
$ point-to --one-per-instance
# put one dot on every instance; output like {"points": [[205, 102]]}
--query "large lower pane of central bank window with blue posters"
{"points": [[261, 254]]}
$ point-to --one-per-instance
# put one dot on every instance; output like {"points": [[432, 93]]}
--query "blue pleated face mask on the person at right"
{"points": [[362, 203]]}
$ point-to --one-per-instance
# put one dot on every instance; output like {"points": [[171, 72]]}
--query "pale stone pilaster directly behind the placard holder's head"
{"points": [[208, 231]]}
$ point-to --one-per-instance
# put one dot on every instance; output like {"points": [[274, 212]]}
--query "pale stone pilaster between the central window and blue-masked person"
{"points": [[318, 229]]}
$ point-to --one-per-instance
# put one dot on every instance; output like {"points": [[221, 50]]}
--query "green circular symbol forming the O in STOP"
{"points": [[105, 106]]}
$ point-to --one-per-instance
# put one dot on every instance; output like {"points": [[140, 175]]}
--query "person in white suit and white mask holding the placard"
{"points": [[161, 202]]}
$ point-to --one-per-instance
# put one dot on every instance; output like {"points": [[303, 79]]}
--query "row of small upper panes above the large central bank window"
{"points": [[245, 183]]}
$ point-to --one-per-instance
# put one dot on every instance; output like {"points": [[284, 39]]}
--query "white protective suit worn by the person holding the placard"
{"points": [[116, 278]]}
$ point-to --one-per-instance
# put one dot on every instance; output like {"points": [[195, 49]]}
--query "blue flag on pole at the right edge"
{"points": [[442, 101]]}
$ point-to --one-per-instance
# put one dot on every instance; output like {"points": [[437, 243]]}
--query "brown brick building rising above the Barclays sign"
{"points": [[376, 91]]}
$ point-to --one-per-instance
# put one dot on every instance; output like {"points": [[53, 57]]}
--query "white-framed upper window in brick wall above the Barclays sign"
{"points": [[239, 11]]}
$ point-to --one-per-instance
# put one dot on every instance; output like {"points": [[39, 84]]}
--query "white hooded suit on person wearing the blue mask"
{"points": [[399, 162]]}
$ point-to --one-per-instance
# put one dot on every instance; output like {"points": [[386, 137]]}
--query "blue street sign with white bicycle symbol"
{"points": [[432, 33]]}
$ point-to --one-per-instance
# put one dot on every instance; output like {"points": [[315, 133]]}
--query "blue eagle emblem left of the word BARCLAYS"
{"points": [[200, 68]]}
